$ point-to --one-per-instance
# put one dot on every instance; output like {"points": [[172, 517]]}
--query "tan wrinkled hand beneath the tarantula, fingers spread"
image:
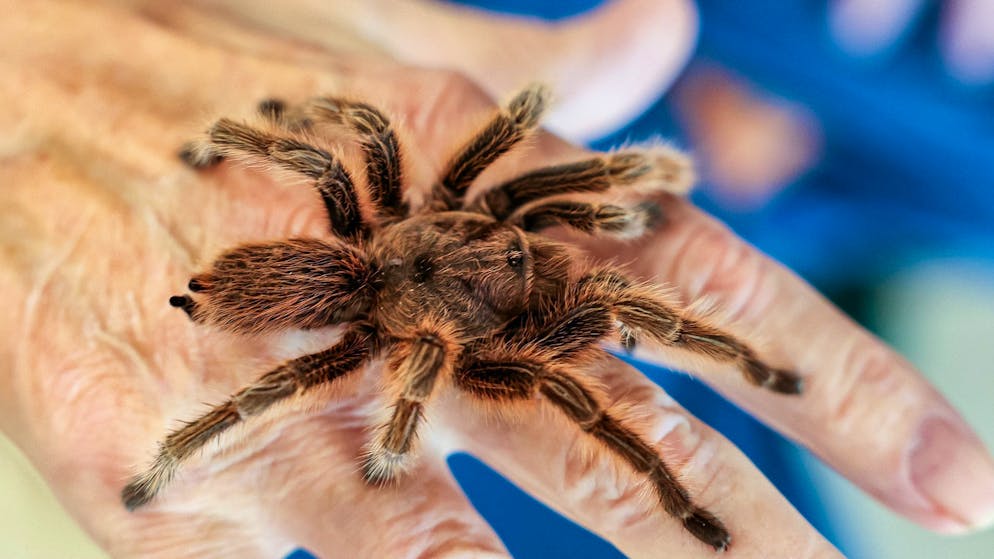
{"points": [[102, 223]]}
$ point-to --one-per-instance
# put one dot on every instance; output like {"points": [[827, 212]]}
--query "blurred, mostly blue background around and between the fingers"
{"points": [[851, 140]]}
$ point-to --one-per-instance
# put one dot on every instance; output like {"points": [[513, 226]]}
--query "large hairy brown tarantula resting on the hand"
{"points": [[462, 288]]}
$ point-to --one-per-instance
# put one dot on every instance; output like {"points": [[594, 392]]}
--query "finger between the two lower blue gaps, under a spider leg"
{"points": [[556, 462]]}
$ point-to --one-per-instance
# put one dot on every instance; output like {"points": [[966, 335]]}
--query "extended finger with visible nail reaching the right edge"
{"points": [[865, 410]]}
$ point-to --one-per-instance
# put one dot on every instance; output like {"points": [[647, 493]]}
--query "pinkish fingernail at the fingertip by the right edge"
{"points": [[951, 468]]}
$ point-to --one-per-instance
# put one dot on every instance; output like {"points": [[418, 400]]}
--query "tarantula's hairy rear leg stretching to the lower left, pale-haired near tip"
{"points": [[290, 379]]}
